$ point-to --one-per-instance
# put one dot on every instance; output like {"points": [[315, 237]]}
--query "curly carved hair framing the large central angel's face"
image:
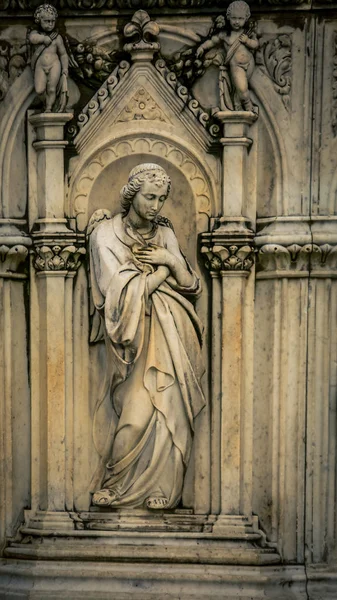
{"points": [[144, 172]]}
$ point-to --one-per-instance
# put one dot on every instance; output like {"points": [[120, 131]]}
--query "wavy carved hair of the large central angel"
{"points": [[148, 178]]}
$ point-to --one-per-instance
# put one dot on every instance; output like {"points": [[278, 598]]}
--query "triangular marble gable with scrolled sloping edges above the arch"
{"points": [[144, 92]]}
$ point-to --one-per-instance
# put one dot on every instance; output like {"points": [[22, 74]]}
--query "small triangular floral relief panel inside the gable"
{"points": [[142, 107]]}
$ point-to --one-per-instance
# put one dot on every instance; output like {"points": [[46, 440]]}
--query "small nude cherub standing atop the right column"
{"points": [[237, 64]]}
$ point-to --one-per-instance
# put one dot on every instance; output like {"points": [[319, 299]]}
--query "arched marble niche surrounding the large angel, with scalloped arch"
{"points": [[96, 177]]}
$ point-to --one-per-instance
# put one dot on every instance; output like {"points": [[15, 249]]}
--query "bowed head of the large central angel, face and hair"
{"points": [[147, 189]]}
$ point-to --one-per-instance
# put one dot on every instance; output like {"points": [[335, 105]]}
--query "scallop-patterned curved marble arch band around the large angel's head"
{"points": [[151, 143]]}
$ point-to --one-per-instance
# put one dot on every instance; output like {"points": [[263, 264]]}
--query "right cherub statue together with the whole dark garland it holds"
{"points": [[230, 46]]}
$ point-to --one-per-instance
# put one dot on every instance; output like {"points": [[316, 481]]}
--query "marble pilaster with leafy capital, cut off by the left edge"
{"points": [[14, 391]]}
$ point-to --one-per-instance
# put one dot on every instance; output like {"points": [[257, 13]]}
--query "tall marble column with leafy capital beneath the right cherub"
{"points": [[229, 254]]}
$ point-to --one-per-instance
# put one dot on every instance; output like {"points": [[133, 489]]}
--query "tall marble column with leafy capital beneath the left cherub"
{"points": [[57, 253]]}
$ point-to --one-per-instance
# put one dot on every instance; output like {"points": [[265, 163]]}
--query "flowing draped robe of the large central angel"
{"points": [[154, 367]]}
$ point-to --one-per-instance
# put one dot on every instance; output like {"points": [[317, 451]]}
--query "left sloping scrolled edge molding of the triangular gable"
{"points": [[102, 96]]}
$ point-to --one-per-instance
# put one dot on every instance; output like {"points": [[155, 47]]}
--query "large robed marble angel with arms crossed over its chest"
{"points": [[141, 286]]}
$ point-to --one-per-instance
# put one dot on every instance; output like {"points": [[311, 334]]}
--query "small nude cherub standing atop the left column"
{"points": [[49, 59]]}
